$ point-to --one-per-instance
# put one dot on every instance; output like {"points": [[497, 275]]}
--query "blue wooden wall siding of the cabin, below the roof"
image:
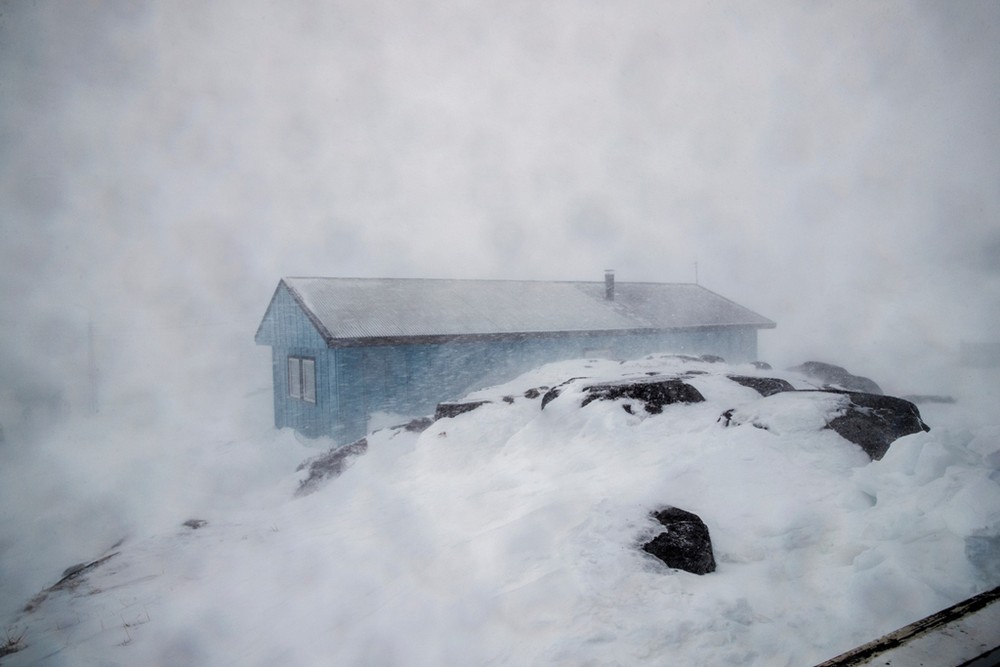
{"points": [[353, 383]]}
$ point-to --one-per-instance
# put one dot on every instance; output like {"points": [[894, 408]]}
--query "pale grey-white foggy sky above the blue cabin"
{"points": [[833, 166]]}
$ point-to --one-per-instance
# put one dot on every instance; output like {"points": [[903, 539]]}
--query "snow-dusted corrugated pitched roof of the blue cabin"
{"points": [[384, 308]]}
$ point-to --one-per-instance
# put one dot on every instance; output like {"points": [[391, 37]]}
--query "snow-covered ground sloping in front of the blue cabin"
{"points": [[508, 536]]}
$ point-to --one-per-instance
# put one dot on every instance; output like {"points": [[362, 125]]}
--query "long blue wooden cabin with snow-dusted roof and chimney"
{"points": [[347, 349]]}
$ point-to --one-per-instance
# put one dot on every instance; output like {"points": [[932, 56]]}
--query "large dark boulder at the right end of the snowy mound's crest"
{"points": [[874, 421]]}
